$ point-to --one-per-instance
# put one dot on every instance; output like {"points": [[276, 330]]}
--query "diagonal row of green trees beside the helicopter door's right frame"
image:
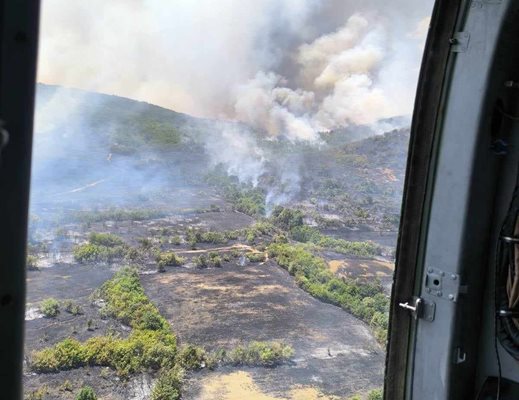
{"points": [[366, 301]]}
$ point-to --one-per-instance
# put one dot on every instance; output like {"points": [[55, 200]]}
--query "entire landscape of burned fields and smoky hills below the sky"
{"points": [[159, 268]]}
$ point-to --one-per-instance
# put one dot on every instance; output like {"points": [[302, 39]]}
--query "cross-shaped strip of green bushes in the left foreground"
{"points": [[151, 344]]}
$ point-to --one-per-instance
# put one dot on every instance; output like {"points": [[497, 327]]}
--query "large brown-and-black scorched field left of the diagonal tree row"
{"points": [[236, 304]]}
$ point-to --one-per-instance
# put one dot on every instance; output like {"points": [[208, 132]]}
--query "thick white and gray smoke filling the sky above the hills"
{"points": [[285, 68]]}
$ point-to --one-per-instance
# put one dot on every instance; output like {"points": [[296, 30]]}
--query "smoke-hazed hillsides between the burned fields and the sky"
{"points": [[113, 150]]}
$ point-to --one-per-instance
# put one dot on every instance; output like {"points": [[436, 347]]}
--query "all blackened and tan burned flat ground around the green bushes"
{"points": [[240, 302]]}
